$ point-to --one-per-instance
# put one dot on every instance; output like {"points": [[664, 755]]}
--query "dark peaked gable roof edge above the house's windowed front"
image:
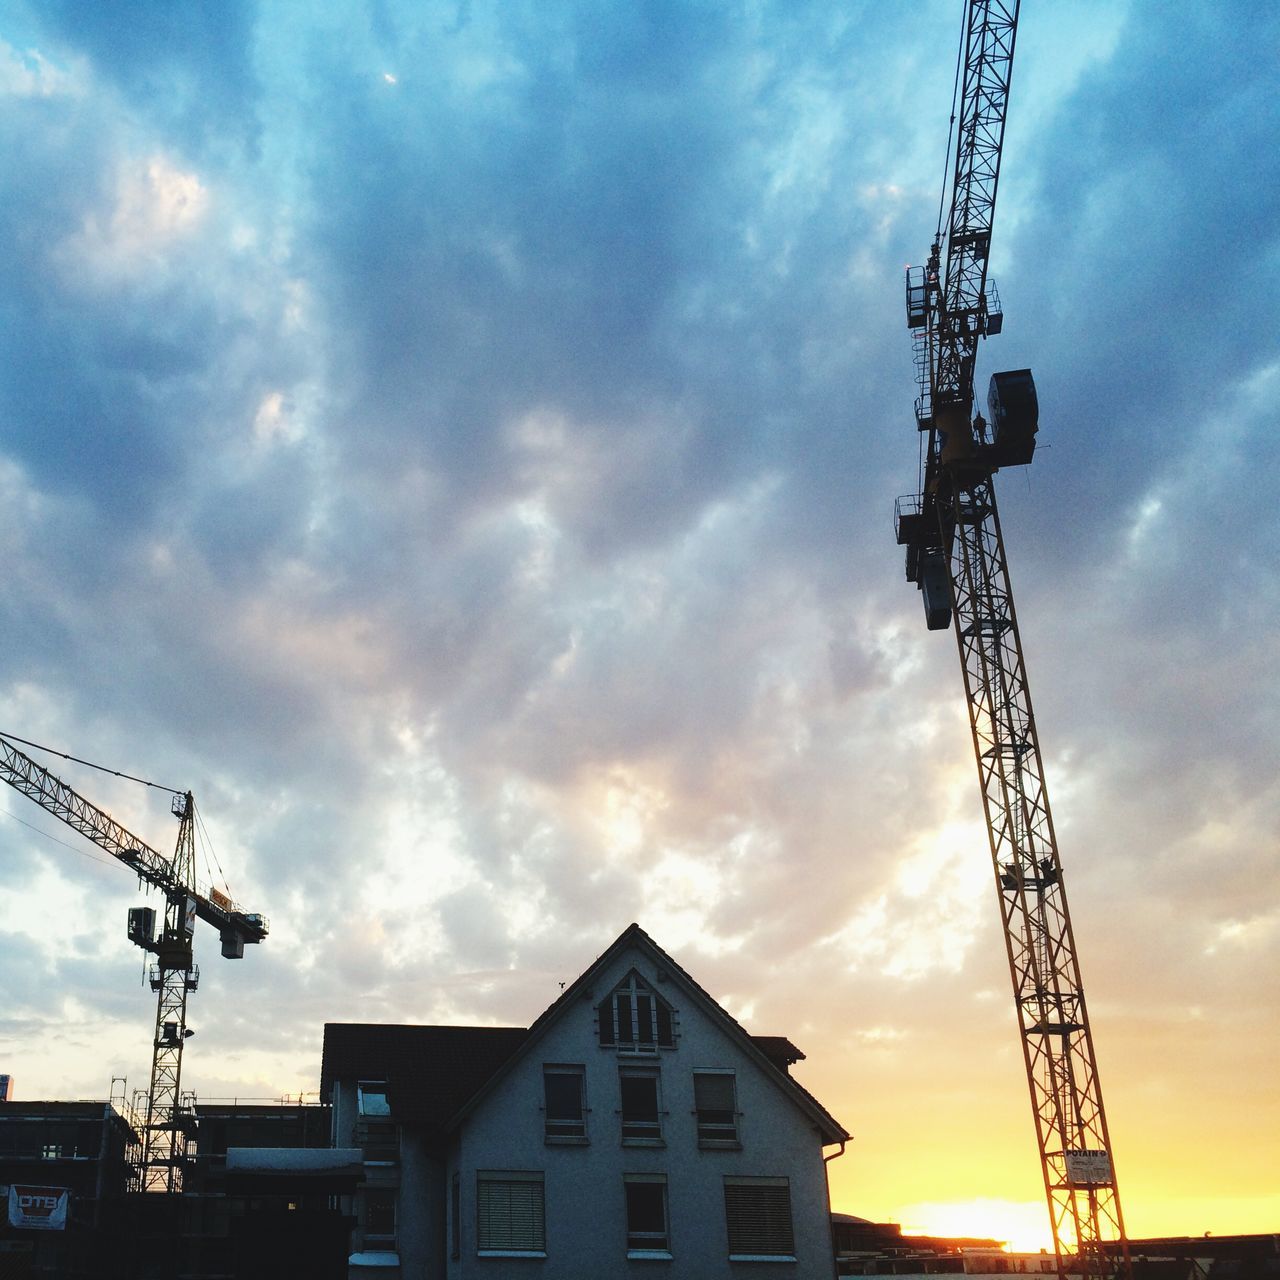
{"points": [[766, 1058]]}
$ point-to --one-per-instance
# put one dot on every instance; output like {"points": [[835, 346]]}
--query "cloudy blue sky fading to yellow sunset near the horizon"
{"points": [[459, 442]]}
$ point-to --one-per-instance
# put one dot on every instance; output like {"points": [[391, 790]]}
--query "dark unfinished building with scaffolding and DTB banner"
{"points": [[263, 1195]]}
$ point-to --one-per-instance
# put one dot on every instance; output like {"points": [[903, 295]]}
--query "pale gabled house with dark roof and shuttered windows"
{"points": [[636, 1128]]}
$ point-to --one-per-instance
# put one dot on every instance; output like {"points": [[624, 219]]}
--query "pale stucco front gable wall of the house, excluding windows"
{"points": [[584, 1190]]}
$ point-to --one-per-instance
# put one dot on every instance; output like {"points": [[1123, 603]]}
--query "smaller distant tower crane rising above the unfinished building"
{"points": [[175, 975]]}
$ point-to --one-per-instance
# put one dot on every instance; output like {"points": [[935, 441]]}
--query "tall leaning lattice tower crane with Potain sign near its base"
{"points": [[956, 556]]}
